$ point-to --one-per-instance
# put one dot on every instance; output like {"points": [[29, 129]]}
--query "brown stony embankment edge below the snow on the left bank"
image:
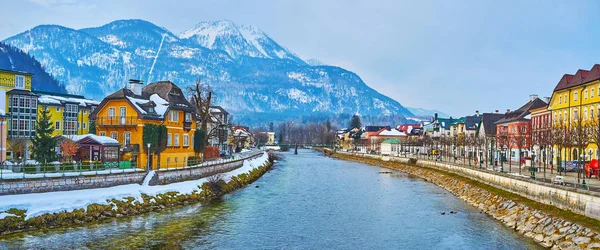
{"points": [[128, 206]]}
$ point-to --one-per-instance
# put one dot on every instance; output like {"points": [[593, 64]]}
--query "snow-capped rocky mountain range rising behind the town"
{"points": [[250, 73]]}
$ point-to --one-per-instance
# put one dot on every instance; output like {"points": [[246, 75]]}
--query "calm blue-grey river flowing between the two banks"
{"points": [[306, 202]]}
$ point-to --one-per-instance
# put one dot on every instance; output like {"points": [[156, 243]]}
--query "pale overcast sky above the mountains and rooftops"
{"points": [[455, 56]]}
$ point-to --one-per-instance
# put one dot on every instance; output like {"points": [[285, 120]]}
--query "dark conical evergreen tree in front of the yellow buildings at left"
{"points": [[43, 143]]}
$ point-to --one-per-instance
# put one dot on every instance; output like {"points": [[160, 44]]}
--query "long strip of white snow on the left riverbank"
{"points": [[41, 203]]}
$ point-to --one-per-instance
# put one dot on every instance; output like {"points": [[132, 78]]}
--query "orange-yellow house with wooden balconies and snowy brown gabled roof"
{"points": [[123, 115]]}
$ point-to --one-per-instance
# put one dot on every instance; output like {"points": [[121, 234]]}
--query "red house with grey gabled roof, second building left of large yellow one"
{"points": [[513, 130]]}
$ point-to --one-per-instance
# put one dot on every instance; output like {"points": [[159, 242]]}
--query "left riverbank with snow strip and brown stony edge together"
{"points": [[22, 213]]}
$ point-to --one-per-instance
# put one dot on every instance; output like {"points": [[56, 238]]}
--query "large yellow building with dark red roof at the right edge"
{"points": [[576, 98]]}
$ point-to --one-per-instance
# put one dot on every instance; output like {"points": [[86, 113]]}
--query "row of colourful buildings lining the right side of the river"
{"points": [[560, 130]]}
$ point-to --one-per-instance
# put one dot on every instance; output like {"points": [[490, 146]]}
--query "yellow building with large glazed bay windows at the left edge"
{"points": [[20, 106]]}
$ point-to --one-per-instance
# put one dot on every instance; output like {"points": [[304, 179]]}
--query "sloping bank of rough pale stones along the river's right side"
{"points": [[546, 230]]}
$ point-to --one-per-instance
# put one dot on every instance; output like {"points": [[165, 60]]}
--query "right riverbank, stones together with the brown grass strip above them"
{"points": [[534, 220]]}
